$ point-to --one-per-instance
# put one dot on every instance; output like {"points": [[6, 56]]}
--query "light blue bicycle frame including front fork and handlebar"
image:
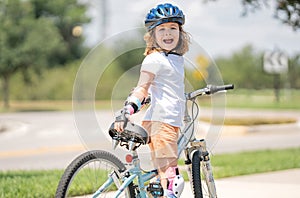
{"points": [[186, 142]]}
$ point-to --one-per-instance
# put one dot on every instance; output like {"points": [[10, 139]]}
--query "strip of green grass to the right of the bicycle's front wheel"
{"points": [[244, 163]]}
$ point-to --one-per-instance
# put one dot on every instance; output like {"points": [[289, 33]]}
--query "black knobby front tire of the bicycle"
{"points": [[200, 188]]}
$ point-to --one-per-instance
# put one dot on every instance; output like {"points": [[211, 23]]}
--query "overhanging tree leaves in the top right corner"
{"points": [[287, 11]]}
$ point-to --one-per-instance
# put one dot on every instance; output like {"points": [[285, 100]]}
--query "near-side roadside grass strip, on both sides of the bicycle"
{"points": [[44, 183]]}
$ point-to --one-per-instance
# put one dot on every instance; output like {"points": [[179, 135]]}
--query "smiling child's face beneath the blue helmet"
{"points": [[167, 35]]}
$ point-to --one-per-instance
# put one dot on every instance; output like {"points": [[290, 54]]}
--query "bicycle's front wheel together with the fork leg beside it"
{"points": [[202, 181]]}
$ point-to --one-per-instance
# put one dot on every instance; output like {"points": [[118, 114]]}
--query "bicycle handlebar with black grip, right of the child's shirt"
{"points": [[210, 89]]}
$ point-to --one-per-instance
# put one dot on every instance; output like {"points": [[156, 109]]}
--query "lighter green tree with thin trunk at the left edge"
{"points": [[26, 43]]}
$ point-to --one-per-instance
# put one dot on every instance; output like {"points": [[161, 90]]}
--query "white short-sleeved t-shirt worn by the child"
{"points": [[167, 89]]}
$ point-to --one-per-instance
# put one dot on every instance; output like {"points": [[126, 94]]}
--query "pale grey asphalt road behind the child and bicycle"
{"points": [[43, 140]]}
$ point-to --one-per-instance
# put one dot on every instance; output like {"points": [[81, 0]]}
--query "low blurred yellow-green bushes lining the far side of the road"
{"points": [[244, 68]]}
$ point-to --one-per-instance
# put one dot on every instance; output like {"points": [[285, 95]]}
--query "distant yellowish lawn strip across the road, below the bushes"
{"points": [[238, 98]]}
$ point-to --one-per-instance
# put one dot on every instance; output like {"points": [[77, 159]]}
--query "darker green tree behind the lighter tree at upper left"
{"points": [[66, 15]]}
